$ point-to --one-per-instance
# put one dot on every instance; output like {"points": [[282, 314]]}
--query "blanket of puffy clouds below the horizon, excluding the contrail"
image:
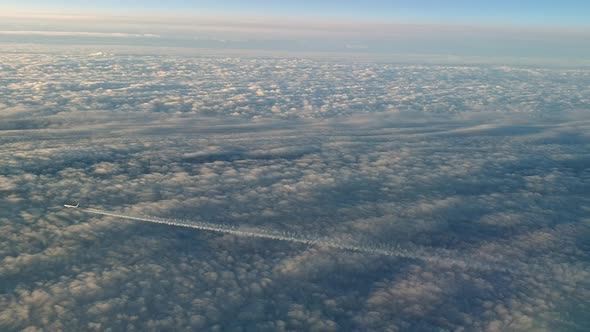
{"points": [[489, 163]]}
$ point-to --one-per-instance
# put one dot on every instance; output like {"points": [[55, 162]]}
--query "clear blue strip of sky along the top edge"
{"points": [[536, 12]]}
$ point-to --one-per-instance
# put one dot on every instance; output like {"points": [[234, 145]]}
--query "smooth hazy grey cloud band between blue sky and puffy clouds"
{"points": [[392, 42]]}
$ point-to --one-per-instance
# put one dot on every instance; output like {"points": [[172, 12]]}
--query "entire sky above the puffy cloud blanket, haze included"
{"points": [[510, 32]]}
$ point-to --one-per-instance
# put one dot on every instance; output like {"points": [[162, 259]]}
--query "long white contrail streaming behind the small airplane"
{"points": [[392, 251]]}
